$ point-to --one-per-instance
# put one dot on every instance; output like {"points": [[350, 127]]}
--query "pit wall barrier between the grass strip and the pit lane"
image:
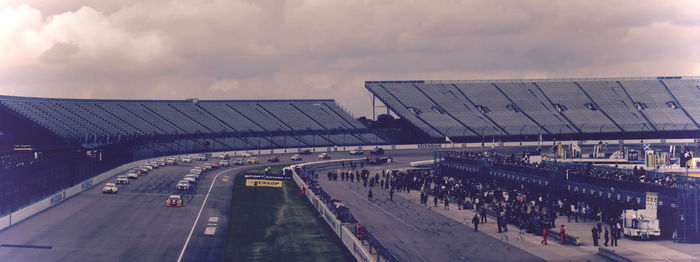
{"points": [[339, 219]]}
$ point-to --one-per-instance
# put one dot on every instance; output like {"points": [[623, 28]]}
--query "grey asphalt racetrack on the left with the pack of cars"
{"points": [[132, 225]]}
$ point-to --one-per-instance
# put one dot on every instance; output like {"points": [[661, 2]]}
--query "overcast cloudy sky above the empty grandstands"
{"points": [[296, 49]]}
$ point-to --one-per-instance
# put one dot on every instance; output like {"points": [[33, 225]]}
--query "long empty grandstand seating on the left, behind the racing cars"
{"points": [[93, 120]]}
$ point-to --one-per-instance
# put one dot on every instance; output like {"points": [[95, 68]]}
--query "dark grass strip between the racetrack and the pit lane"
{"points": [[277, 224]]}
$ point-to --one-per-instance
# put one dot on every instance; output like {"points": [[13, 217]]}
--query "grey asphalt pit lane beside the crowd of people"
{"points": [[413, 232]]}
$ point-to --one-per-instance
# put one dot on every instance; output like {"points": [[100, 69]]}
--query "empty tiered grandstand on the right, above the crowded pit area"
{"points": [[572, 108]]}
